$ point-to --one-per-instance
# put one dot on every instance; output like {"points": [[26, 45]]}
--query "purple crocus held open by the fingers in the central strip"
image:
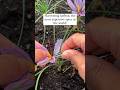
{"points": [[48, 58]]}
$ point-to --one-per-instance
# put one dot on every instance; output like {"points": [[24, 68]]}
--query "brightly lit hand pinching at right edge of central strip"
{"points": [[77, 58]]}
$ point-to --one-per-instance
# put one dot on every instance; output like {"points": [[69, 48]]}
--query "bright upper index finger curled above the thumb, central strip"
{"points": [[77, 40]]}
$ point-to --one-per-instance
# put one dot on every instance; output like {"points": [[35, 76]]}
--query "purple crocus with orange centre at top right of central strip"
{"points": [[77, 7]]}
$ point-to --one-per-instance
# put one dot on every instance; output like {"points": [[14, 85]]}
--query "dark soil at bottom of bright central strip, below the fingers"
{"points": [[52, 79]]}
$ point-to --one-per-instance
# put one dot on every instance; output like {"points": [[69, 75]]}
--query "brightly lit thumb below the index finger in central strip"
{"points": [[77, 58]]}
